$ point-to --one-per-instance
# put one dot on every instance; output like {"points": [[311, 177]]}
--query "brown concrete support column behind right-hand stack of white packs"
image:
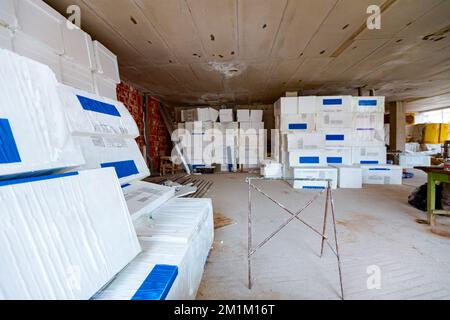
{"points": [[397, 126]]}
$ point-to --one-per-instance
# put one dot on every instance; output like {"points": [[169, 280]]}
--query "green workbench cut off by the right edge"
{"points": [[436, 175]]}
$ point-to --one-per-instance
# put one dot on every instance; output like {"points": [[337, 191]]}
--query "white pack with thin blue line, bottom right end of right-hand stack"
{"points": [[382, 174]]}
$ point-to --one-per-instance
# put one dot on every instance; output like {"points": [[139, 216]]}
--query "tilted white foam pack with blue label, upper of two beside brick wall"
{"points": [[90, 114]]}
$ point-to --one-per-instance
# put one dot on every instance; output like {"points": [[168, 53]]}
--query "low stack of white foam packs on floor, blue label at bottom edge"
{"points": [[179, 234]]}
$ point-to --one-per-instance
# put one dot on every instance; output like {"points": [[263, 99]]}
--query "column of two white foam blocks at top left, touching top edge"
{"points": [[39, 33]]}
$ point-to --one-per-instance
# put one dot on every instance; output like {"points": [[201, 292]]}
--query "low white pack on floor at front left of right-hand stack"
{"points": [[325, 173]]}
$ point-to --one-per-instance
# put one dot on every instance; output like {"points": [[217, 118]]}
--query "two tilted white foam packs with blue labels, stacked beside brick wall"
{"points": [[105, 132]]}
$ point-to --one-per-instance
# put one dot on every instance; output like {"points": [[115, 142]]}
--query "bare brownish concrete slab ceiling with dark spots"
{"points": [[247, 51]]}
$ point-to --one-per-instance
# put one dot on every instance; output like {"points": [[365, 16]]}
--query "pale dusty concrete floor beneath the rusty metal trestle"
{"points": [[376, 227]]}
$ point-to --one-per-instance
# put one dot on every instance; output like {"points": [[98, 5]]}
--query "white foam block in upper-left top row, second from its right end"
{"points": [[78, 46]]}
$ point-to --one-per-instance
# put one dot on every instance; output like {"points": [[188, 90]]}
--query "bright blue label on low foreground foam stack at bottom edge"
{"points": [[158, 283]]}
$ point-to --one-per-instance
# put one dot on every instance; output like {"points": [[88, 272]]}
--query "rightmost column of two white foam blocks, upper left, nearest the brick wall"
{"points": [[106, 75]]}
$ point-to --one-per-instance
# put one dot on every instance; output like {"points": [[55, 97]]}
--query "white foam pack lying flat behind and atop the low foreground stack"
{"points": [[144, 197]]}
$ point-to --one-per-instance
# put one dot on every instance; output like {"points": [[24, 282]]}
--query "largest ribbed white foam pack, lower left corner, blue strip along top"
{"points": [[63, 237]]}
